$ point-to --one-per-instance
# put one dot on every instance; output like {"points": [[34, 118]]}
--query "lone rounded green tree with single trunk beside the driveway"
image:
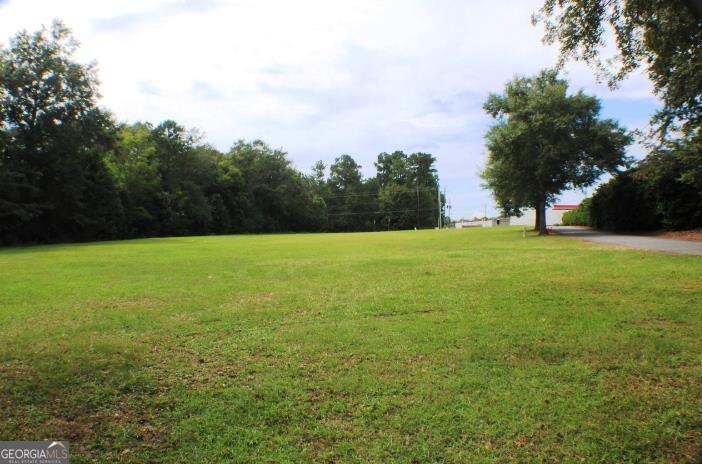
{"points": [[546, 141]]}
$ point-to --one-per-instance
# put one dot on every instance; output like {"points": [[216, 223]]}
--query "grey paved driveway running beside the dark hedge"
{"points": [[685, 247]]}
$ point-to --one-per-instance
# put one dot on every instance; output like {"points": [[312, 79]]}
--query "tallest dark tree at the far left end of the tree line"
{"points": [[54, 182]]}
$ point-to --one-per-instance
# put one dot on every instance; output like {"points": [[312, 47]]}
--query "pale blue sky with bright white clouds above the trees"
{"points": [[323, 78]]}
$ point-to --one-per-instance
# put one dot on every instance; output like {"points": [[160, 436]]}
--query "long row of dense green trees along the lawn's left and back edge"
{"points": [[70, 172]]}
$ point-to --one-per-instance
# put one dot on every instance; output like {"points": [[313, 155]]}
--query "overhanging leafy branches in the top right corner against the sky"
{"points": [[663, 35]]}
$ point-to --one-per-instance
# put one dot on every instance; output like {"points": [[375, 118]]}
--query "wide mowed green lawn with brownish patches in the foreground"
{"points": [[418, 346]]}
